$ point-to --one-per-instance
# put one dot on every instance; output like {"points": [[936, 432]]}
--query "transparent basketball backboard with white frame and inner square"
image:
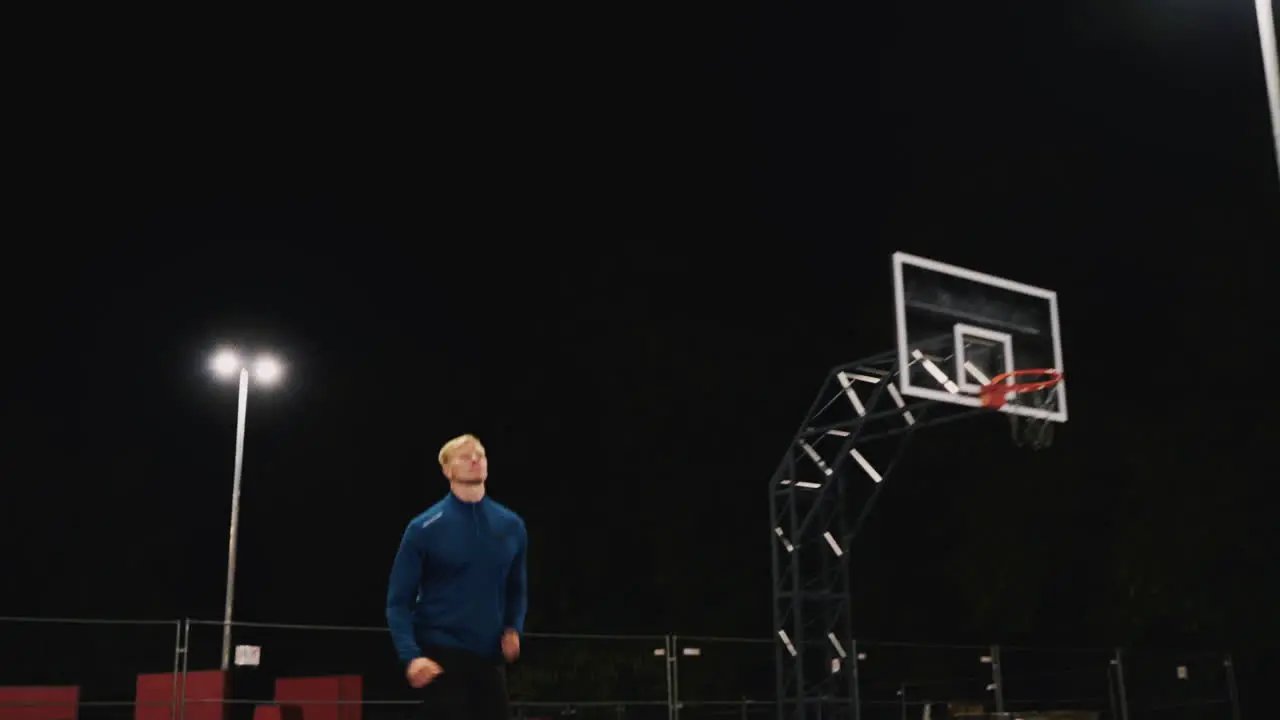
{"points": [[958, 330]]}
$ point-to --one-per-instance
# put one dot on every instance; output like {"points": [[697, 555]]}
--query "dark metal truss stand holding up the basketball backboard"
{"points": [[849, 444]]}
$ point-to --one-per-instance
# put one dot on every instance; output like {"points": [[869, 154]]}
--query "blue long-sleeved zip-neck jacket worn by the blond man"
{"points": [[459, 580]]}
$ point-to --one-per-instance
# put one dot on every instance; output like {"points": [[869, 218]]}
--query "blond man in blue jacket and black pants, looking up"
{"points": [[458, 596]]}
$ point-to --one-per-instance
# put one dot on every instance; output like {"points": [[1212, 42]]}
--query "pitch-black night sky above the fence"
{"points": [[624, 250]]}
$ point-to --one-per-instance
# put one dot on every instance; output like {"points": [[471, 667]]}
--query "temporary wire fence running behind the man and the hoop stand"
{"points": [[80, 669]]}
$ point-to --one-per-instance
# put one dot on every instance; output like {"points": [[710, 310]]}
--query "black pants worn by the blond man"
{"points": [[468, 689]]}
